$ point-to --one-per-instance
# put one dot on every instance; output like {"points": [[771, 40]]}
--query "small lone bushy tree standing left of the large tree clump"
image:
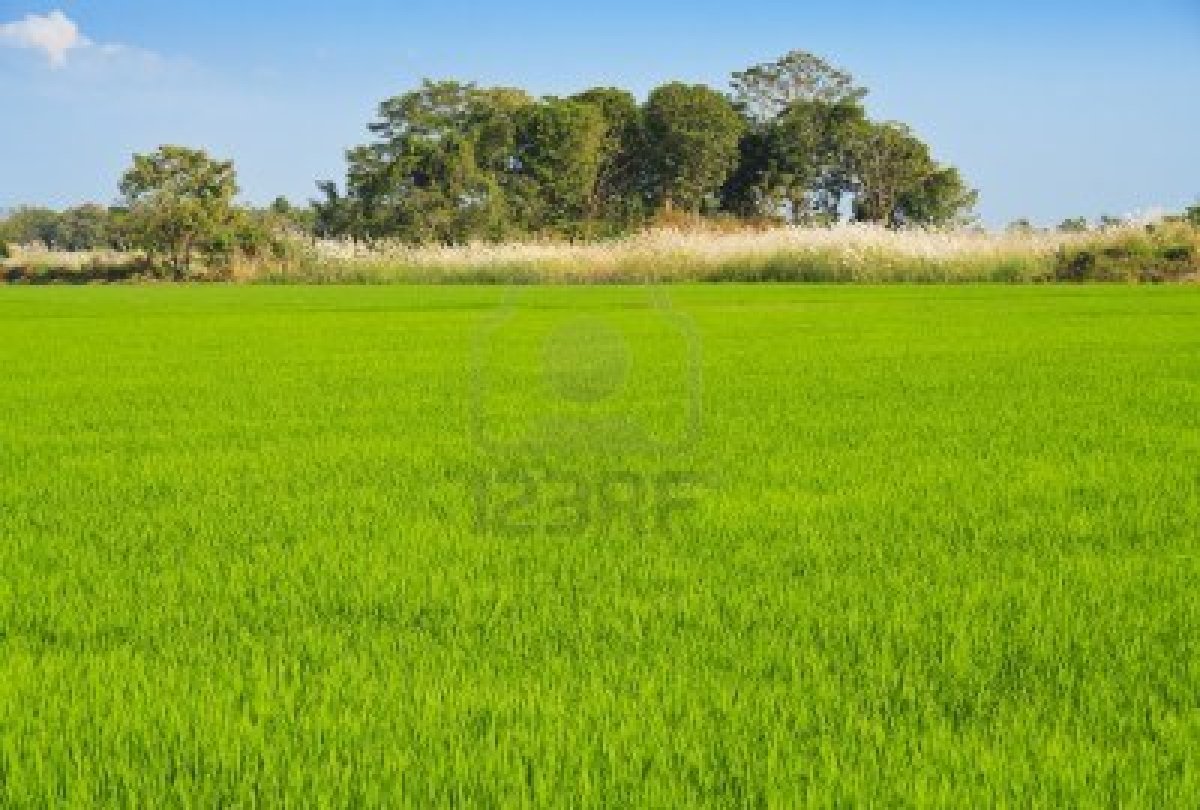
{"points": [[181, 203]]}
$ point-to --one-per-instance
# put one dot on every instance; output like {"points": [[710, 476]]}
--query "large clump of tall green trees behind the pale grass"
{"points": [[452, 163]]}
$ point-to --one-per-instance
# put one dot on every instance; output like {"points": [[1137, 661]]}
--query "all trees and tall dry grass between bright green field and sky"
{"points": [[454, 170]]}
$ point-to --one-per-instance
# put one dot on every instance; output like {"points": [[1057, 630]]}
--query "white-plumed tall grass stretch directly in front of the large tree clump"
{"points": [[848, 254]]}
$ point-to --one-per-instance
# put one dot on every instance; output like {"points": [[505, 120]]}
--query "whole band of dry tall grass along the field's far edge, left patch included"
{"points": [[711, 253]]}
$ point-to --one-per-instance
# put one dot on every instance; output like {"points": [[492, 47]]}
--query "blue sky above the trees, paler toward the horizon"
{"points": [[1052, 110]]}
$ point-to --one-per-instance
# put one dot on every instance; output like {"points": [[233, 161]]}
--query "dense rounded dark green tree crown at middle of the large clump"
{"points": [[693, 135]]}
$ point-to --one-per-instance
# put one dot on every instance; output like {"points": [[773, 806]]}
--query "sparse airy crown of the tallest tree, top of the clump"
{"points": [[766, 91]]}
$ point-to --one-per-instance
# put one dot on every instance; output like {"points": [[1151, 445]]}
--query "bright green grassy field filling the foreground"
{"points": [[943, 551]]}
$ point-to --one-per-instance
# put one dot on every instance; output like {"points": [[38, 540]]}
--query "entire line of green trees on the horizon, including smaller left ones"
{"points": [[454, 163]]}
